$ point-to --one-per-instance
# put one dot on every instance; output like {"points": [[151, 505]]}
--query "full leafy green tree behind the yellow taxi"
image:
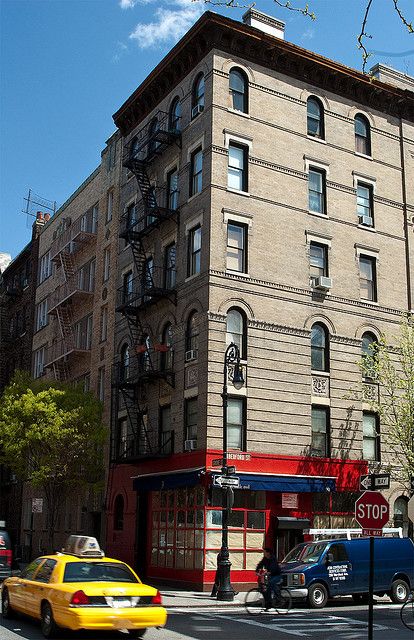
{"points": [[52, 437]]}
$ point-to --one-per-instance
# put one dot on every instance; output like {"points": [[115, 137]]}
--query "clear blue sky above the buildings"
{"points": [[68, 65]]}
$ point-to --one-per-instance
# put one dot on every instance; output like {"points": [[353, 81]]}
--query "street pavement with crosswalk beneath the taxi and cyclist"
{"points": [[196, 616]]}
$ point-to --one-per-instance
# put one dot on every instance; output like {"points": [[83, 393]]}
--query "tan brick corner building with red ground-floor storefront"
{"points": [[266, 201]]}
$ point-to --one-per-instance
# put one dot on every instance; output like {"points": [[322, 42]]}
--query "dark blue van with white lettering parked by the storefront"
{"points": [[317, 571]]}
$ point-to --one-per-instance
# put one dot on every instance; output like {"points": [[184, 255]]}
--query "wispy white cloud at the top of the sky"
{"points": [[170, 24]]}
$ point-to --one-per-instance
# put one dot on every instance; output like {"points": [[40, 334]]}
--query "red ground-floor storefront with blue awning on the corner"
{"points": [[170, 525]]}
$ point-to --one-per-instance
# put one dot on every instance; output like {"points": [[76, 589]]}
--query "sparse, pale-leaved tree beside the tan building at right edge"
{"points": [[392, 369]]}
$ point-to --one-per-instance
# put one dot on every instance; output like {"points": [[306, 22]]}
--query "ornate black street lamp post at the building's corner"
{"points": [[225, 590]]}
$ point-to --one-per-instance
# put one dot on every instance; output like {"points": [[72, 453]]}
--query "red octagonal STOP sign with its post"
{"points": [[372, 512]]}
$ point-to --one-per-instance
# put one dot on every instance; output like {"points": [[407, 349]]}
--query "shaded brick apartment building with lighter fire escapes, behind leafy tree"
{"points": [[74, 320]]}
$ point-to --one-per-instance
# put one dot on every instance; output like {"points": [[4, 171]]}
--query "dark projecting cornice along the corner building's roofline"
{"points": [[213, 31]]}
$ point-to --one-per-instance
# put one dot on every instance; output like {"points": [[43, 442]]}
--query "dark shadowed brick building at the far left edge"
{"points": [[17, 301]]}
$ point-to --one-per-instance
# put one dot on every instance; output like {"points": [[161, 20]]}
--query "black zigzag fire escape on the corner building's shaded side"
{"points": [[146, 361]]}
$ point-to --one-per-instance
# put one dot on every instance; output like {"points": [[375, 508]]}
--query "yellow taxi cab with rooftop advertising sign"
{"points": [[82, 589]]}
